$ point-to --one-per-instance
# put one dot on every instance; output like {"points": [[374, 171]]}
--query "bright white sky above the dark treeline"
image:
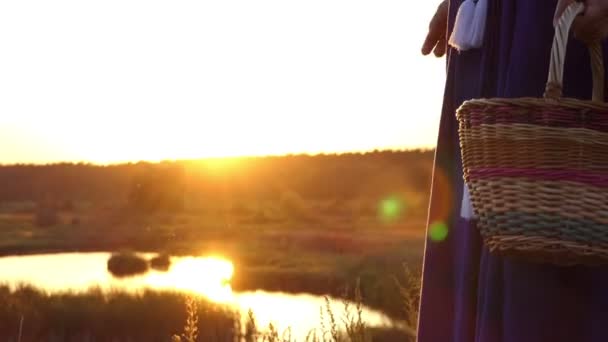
{"points": [[128, 80]]}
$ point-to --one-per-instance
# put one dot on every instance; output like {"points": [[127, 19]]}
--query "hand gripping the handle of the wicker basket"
{"points": [[593, 25]]}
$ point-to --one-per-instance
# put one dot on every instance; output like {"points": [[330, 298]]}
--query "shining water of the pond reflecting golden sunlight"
{"points": [[206, 276]]}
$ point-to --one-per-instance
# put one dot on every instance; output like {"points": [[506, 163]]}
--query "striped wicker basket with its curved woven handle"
{"points": [[537, 168]]}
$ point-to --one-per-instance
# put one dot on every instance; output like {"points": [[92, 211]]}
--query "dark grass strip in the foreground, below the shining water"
{"points": [[151, 316]]}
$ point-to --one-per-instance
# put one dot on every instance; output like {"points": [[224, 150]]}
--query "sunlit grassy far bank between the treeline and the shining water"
{"points": [[290, 255]]}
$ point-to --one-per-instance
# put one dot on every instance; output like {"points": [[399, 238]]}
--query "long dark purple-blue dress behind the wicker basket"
{"points": [[469, 294]]}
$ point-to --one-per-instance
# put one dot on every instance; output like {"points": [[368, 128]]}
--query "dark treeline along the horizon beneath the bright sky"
{"points": [[171, 185]]}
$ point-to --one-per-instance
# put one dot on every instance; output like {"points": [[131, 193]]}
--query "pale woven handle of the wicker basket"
{"points": [[558, 57]]}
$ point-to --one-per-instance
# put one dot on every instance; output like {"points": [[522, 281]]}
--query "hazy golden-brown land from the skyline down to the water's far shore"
{"points": [[293, 224]]}
